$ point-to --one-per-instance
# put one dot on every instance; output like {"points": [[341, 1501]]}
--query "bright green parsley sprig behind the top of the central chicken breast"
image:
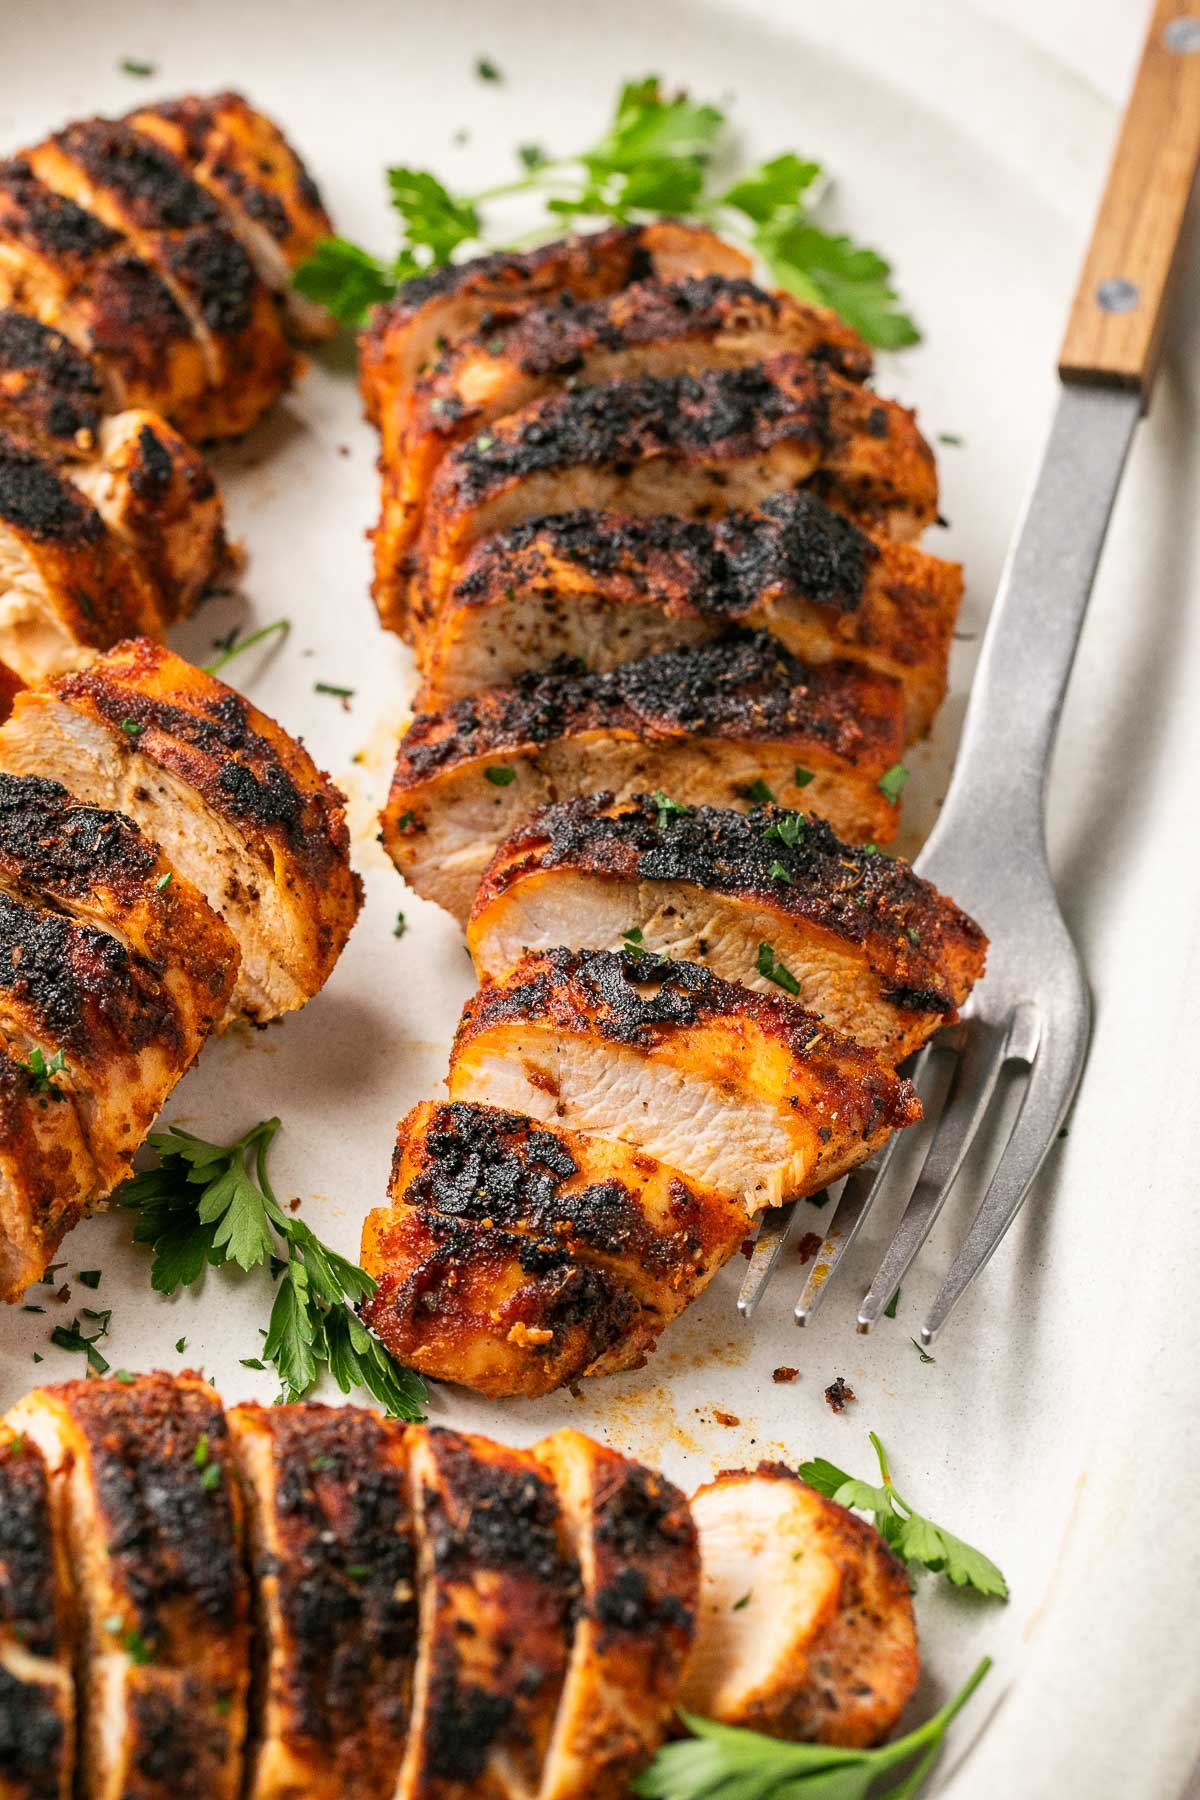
{"points": [[659, 156]]}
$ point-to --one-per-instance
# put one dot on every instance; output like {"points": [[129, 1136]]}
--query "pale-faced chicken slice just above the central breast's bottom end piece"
{"points": [[739, 1092]]}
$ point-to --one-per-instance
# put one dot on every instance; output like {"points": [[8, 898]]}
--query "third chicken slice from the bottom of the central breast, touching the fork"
{"points": [[873, 949]]}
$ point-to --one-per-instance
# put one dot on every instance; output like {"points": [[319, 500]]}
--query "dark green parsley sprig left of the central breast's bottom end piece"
{"points": [[213, 1203]]}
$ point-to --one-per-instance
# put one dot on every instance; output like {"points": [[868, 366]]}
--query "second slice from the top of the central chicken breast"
{"points": [[649, 328]]}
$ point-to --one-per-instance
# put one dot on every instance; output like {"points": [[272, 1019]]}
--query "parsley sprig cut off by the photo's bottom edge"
{"points": [[735, 1765]]}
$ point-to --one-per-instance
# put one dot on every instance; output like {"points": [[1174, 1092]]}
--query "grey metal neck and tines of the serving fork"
{"points": [[1032, 1014]]}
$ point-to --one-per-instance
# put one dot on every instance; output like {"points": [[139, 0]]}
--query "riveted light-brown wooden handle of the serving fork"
{"points": [[1116, 321]]}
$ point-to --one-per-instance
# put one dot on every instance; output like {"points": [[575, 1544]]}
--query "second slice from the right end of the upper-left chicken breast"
{"points": [[138, 188]]}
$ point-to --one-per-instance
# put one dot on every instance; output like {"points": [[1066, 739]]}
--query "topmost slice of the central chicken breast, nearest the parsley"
{"points": [[438, 310]]}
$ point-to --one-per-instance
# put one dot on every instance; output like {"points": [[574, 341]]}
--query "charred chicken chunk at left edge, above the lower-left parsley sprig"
{"points": [[116, 962]]}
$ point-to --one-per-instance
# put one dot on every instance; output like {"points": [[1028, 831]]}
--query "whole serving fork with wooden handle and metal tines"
{"points": [[1030, 1020]]}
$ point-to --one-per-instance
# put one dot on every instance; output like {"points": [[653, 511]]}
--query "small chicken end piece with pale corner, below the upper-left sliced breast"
{"points": [[159, 496]]}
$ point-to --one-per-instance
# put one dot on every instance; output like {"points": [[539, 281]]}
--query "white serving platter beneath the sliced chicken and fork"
{"points": [[1059, 1423]]}
